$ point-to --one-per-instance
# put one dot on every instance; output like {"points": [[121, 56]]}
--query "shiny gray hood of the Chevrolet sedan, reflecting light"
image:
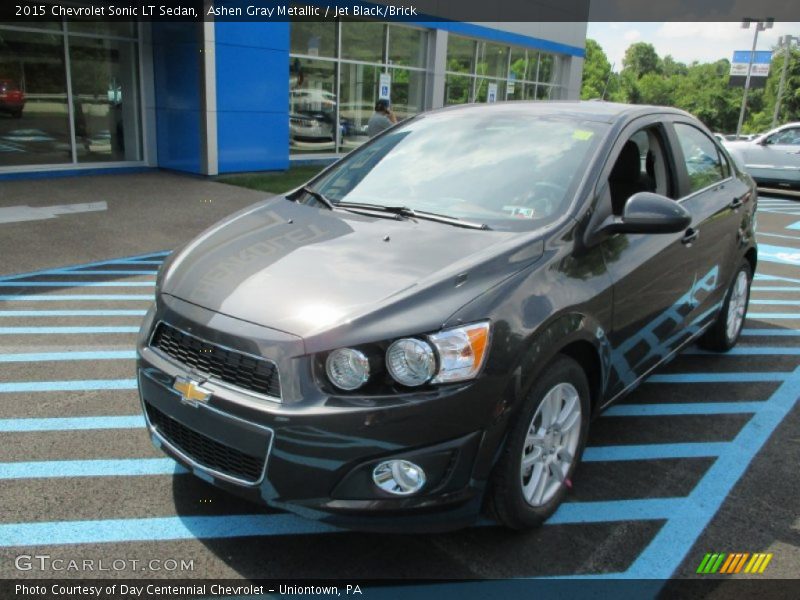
{"points": [[306, 270]]}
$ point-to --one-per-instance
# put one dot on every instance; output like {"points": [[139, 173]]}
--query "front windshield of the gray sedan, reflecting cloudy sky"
{"points": [[508, 170]]}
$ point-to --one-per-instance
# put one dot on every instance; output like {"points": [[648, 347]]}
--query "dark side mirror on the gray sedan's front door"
{"points": [[647, 212]]}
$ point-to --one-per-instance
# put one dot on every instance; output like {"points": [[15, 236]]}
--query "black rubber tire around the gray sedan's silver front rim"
{"points": [[506, 500]]}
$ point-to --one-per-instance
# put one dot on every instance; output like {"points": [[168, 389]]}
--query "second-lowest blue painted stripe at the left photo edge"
{"points": [[125, 467]]}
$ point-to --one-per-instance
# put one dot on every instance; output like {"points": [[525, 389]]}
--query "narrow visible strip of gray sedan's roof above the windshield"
{"points": [[590, 110]]}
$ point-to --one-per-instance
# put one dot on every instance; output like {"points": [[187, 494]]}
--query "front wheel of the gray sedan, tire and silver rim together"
{"points": [[543, 448]]}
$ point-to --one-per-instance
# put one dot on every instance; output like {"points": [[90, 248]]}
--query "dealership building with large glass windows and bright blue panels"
{"points": [[222, 97]]}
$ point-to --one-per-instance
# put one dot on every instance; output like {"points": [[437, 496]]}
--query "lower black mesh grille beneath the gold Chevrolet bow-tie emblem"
{"points": [[205, 451]]}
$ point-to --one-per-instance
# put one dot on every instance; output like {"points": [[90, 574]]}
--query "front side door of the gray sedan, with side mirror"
{"points": [[653, 274]]}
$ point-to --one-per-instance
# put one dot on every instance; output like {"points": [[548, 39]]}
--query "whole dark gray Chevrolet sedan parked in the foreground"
{"points": [[427, 327]]}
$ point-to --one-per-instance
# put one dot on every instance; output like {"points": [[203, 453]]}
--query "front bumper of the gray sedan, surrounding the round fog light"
{"points": [[313, 453]]}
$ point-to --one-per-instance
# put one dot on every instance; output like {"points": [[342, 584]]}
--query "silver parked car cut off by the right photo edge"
{"points": [[772, 158]]}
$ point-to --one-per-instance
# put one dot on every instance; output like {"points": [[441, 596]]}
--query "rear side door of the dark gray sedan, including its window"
{"points": [[718, 202]]}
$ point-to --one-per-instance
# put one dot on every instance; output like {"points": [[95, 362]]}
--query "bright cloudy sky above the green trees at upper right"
{"points": [[686, 42]]}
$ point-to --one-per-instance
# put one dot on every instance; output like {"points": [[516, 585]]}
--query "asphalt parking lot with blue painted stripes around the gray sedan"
{"points": [[701, 459]]}
